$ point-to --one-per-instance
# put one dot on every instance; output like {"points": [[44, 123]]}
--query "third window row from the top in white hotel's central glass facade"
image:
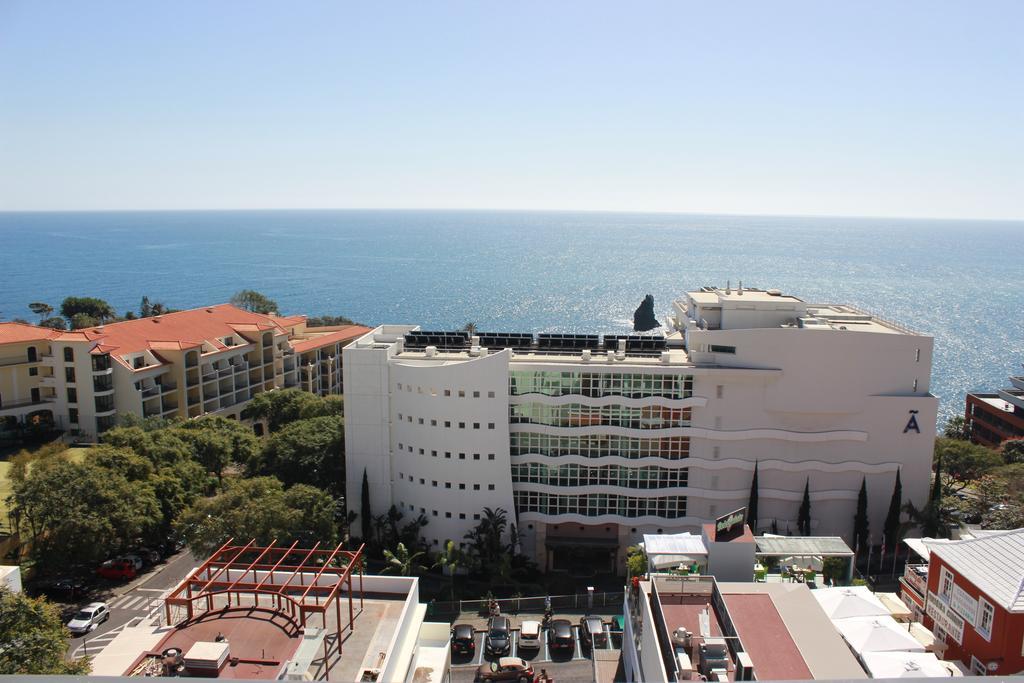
{"points": [[600, 446]]}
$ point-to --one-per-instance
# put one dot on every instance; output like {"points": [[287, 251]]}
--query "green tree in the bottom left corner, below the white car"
{"points": [[33, 638]]}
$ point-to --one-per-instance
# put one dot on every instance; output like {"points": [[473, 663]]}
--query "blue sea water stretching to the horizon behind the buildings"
{"points": [[560, 272]]}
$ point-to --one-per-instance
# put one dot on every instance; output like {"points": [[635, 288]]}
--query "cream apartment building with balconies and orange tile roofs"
{"points": [[209, 361]]}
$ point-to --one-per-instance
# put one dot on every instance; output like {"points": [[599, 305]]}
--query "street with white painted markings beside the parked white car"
{"points": [[131, 603]]}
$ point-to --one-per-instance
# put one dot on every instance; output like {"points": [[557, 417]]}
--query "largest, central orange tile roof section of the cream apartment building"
{"points": [[185, 329]]}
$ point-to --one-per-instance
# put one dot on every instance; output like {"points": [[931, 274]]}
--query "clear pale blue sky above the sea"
{"points": [[878, 109]]}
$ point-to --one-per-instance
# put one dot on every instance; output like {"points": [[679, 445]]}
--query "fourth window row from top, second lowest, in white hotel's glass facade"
{"points": [[610, 476]]}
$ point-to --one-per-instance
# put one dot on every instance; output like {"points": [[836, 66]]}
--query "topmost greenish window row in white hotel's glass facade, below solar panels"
{"points": [[634, 386]]}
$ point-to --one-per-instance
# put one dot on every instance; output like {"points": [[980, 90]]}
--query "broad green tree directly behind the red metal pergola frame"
{"points": [[261, 509]]}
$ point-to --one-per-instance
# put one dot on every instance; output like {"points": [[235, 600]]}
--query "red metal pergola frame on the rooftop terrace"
{"points": [[297, 602]]}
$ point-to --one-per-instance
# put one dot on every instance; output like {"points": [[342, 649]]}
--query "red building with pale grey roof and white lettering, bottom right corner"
{"points": [[975, 602]]}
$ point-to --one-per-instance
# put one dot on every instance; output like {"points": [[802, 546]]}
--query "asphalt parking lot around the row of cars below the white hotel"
{"points": [[575, 667]]}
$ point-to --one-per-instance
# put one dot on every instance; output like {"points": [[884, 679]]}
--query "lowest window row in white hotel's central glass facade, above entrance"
{"points": [[595, 505]]}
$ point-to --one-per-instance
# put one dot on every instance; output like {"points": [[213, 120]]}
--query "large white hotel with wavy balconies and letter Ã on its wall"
{"points": [[588, 443]]}
